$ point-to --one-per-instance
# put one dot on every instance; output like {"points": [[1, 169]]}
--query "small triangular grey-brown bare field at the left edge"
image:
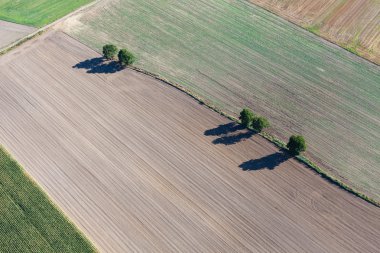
{"points": [[10, 32]]}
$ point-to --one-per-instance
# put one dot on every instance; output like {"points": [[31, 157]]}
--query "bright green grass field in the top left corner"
{"points": [[37, 13]]}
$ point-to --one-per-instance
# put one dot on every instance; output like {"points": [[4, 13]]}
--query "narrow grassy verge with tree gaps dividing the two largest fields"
{"points": [[280, 144]]}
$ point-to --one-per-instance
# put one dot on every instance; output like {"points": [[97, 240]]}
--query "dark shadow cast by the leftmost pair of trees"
{"points": [[99, 66]]}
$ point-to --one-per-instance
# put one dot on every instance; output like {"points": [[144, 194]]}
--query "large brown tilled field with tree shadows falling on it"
{"points": [[140, 166]]}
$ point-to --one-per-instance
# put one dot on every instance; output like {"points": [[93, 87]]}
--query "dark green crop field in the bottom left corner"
{"points": [[29, 222]]}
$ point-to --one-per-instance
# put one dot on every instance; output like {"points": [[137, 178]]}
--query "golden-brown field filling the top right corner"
{"points": [[353, 24]]}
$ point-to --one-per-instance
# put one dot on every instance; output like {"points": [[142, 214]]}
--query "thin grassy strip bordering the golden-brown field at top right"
{"points": [[354, 52]]}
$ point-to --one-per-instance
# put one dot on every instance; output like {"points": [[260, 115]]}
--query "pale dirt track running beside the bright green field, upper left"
{"points": [[43, 29]]}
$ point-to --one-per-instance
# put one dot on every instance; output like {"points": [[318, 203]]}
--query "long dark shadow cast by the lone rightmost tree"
{"points": [[267, 162]]}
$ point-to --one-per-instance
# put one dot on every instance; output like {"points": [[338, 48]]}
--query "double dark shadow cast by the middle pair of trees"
{"points": [[227, 133]]}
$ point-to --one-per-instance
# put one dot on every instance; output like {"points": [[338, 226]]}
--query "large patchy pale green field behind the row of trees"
{"points": [[235, 55]]}
